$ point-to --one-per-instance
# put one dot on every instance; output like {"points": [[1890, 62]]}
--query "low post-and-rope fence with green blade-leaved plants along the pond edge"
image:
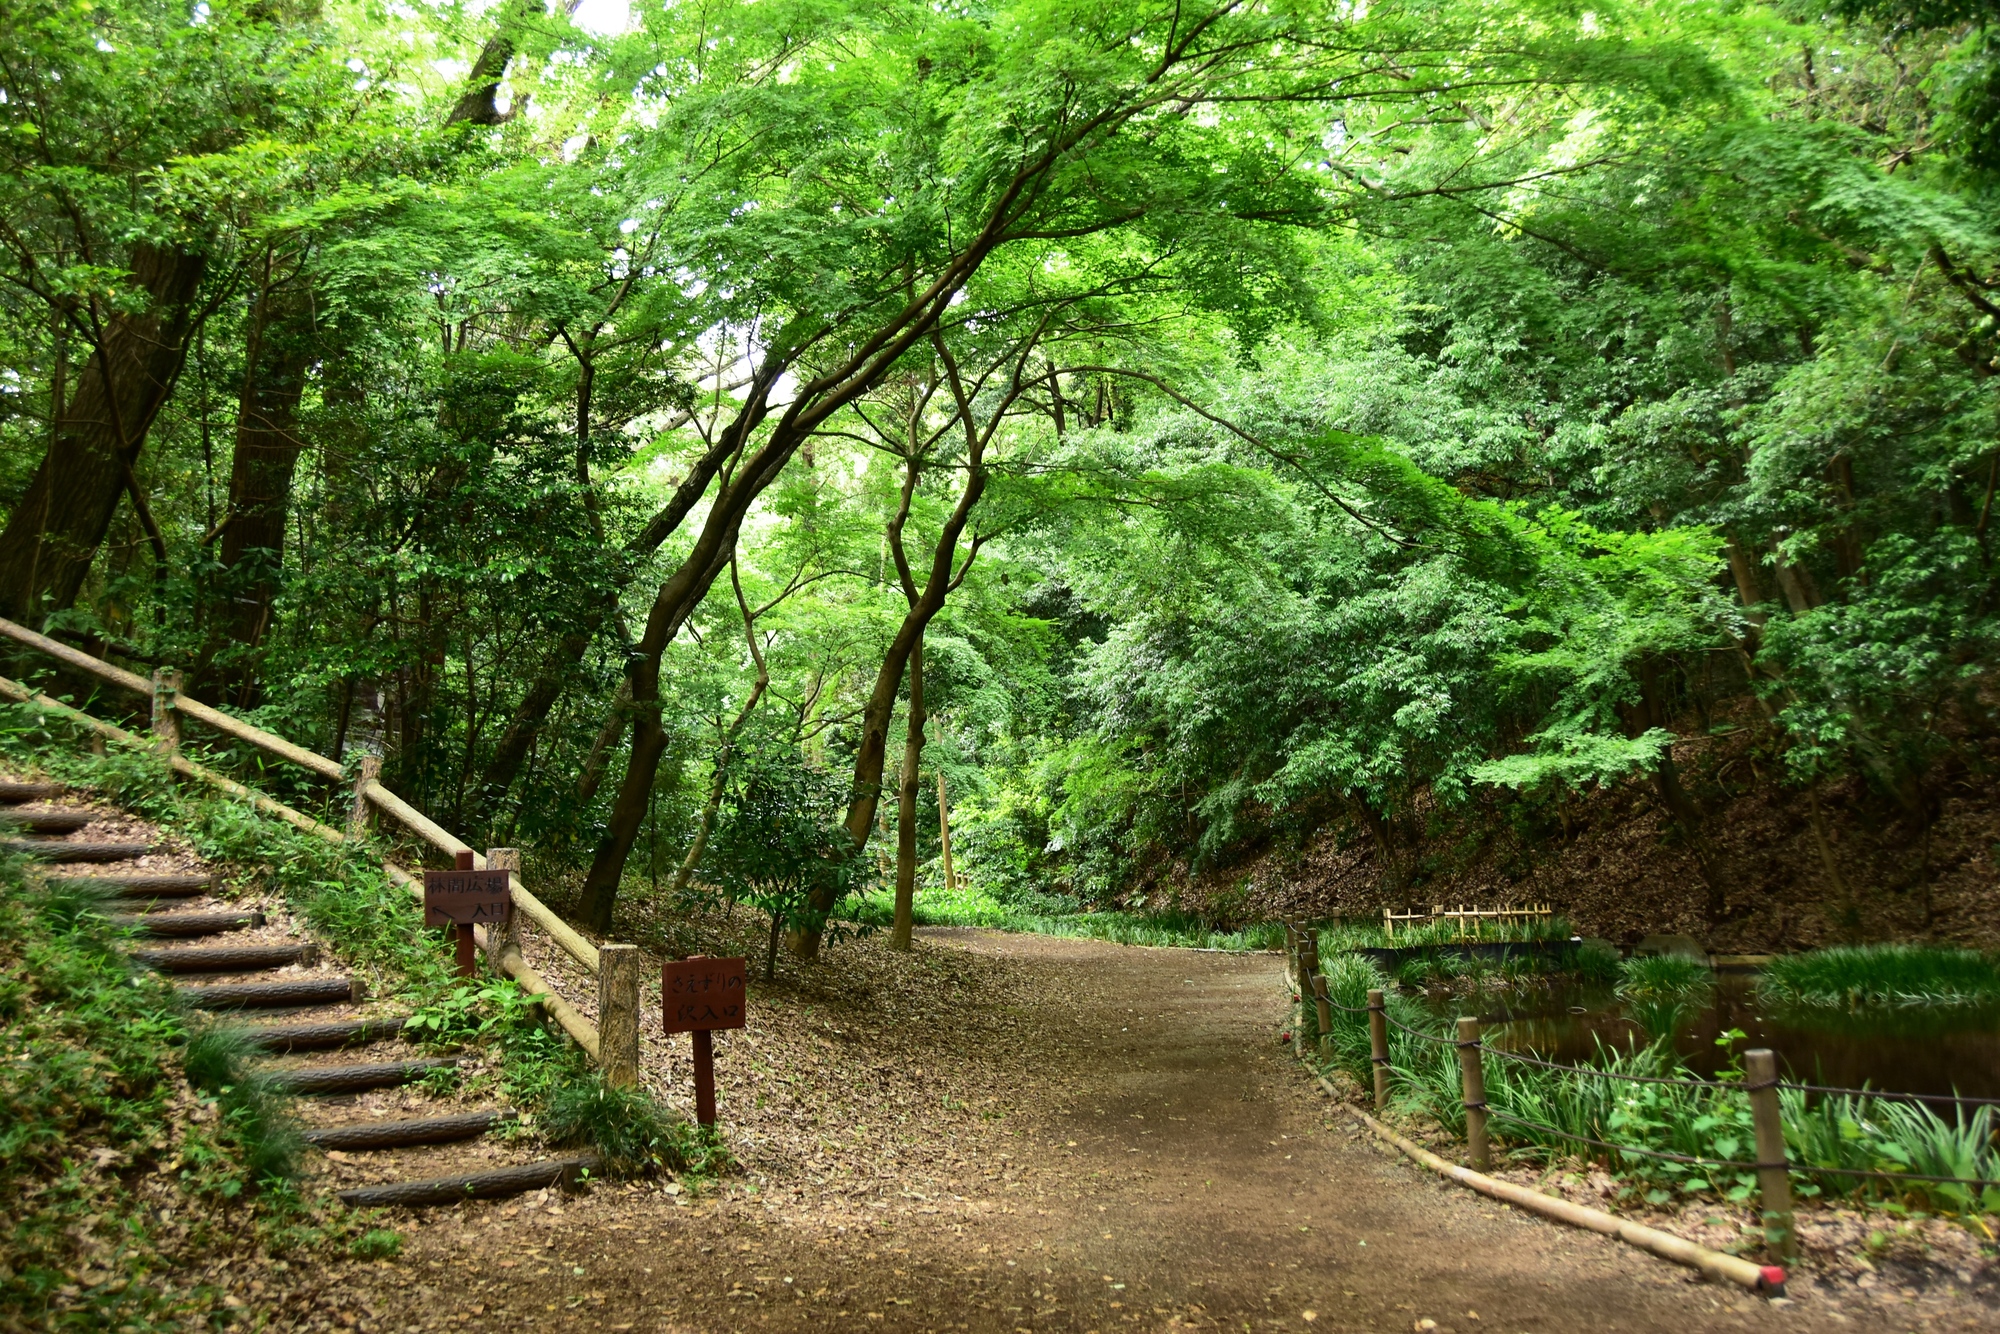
{"points": [[1809, 1135]]}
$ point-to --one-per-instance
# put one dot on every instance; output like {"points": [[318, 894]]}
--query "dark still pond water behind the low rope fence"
{"points": [[1935, 1051]]}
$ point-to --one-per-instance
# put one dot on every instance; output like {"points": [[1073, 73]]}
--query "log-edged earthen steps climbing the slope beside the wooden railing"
{"points": [[389, 1127]]}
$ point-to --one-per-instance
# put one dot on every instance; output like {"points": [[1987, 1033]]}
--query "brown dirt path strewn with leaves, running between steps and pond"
{"points": [[1165, 1165]]}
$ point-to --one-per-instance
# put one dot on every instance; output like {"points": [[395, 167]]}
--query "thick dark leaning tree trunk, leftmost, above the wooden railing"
{"points": [[57, 529]]}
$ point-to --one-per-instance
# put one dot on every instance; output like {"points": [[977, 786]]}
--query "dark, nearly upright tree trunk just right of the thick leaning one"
{"points": [[261, 477]]}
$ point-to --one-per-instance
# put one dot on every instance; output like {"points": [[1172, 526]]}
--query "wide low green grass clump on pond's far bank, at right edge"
{"points": [[1883, 975]]}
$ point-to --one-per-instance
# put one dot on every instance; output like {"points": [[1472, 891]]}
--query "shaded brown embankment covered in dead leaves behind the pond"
{"points": [[1793, 867]]}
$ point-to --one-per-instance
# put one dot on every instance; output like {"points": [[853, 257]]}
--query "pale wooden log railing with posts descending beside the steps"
{"points": [[169, 707]]}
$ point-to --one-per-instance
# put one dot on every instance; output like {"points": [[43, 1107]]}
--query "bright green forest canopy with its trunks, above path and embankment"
{"points": [[1161, 429]]}
